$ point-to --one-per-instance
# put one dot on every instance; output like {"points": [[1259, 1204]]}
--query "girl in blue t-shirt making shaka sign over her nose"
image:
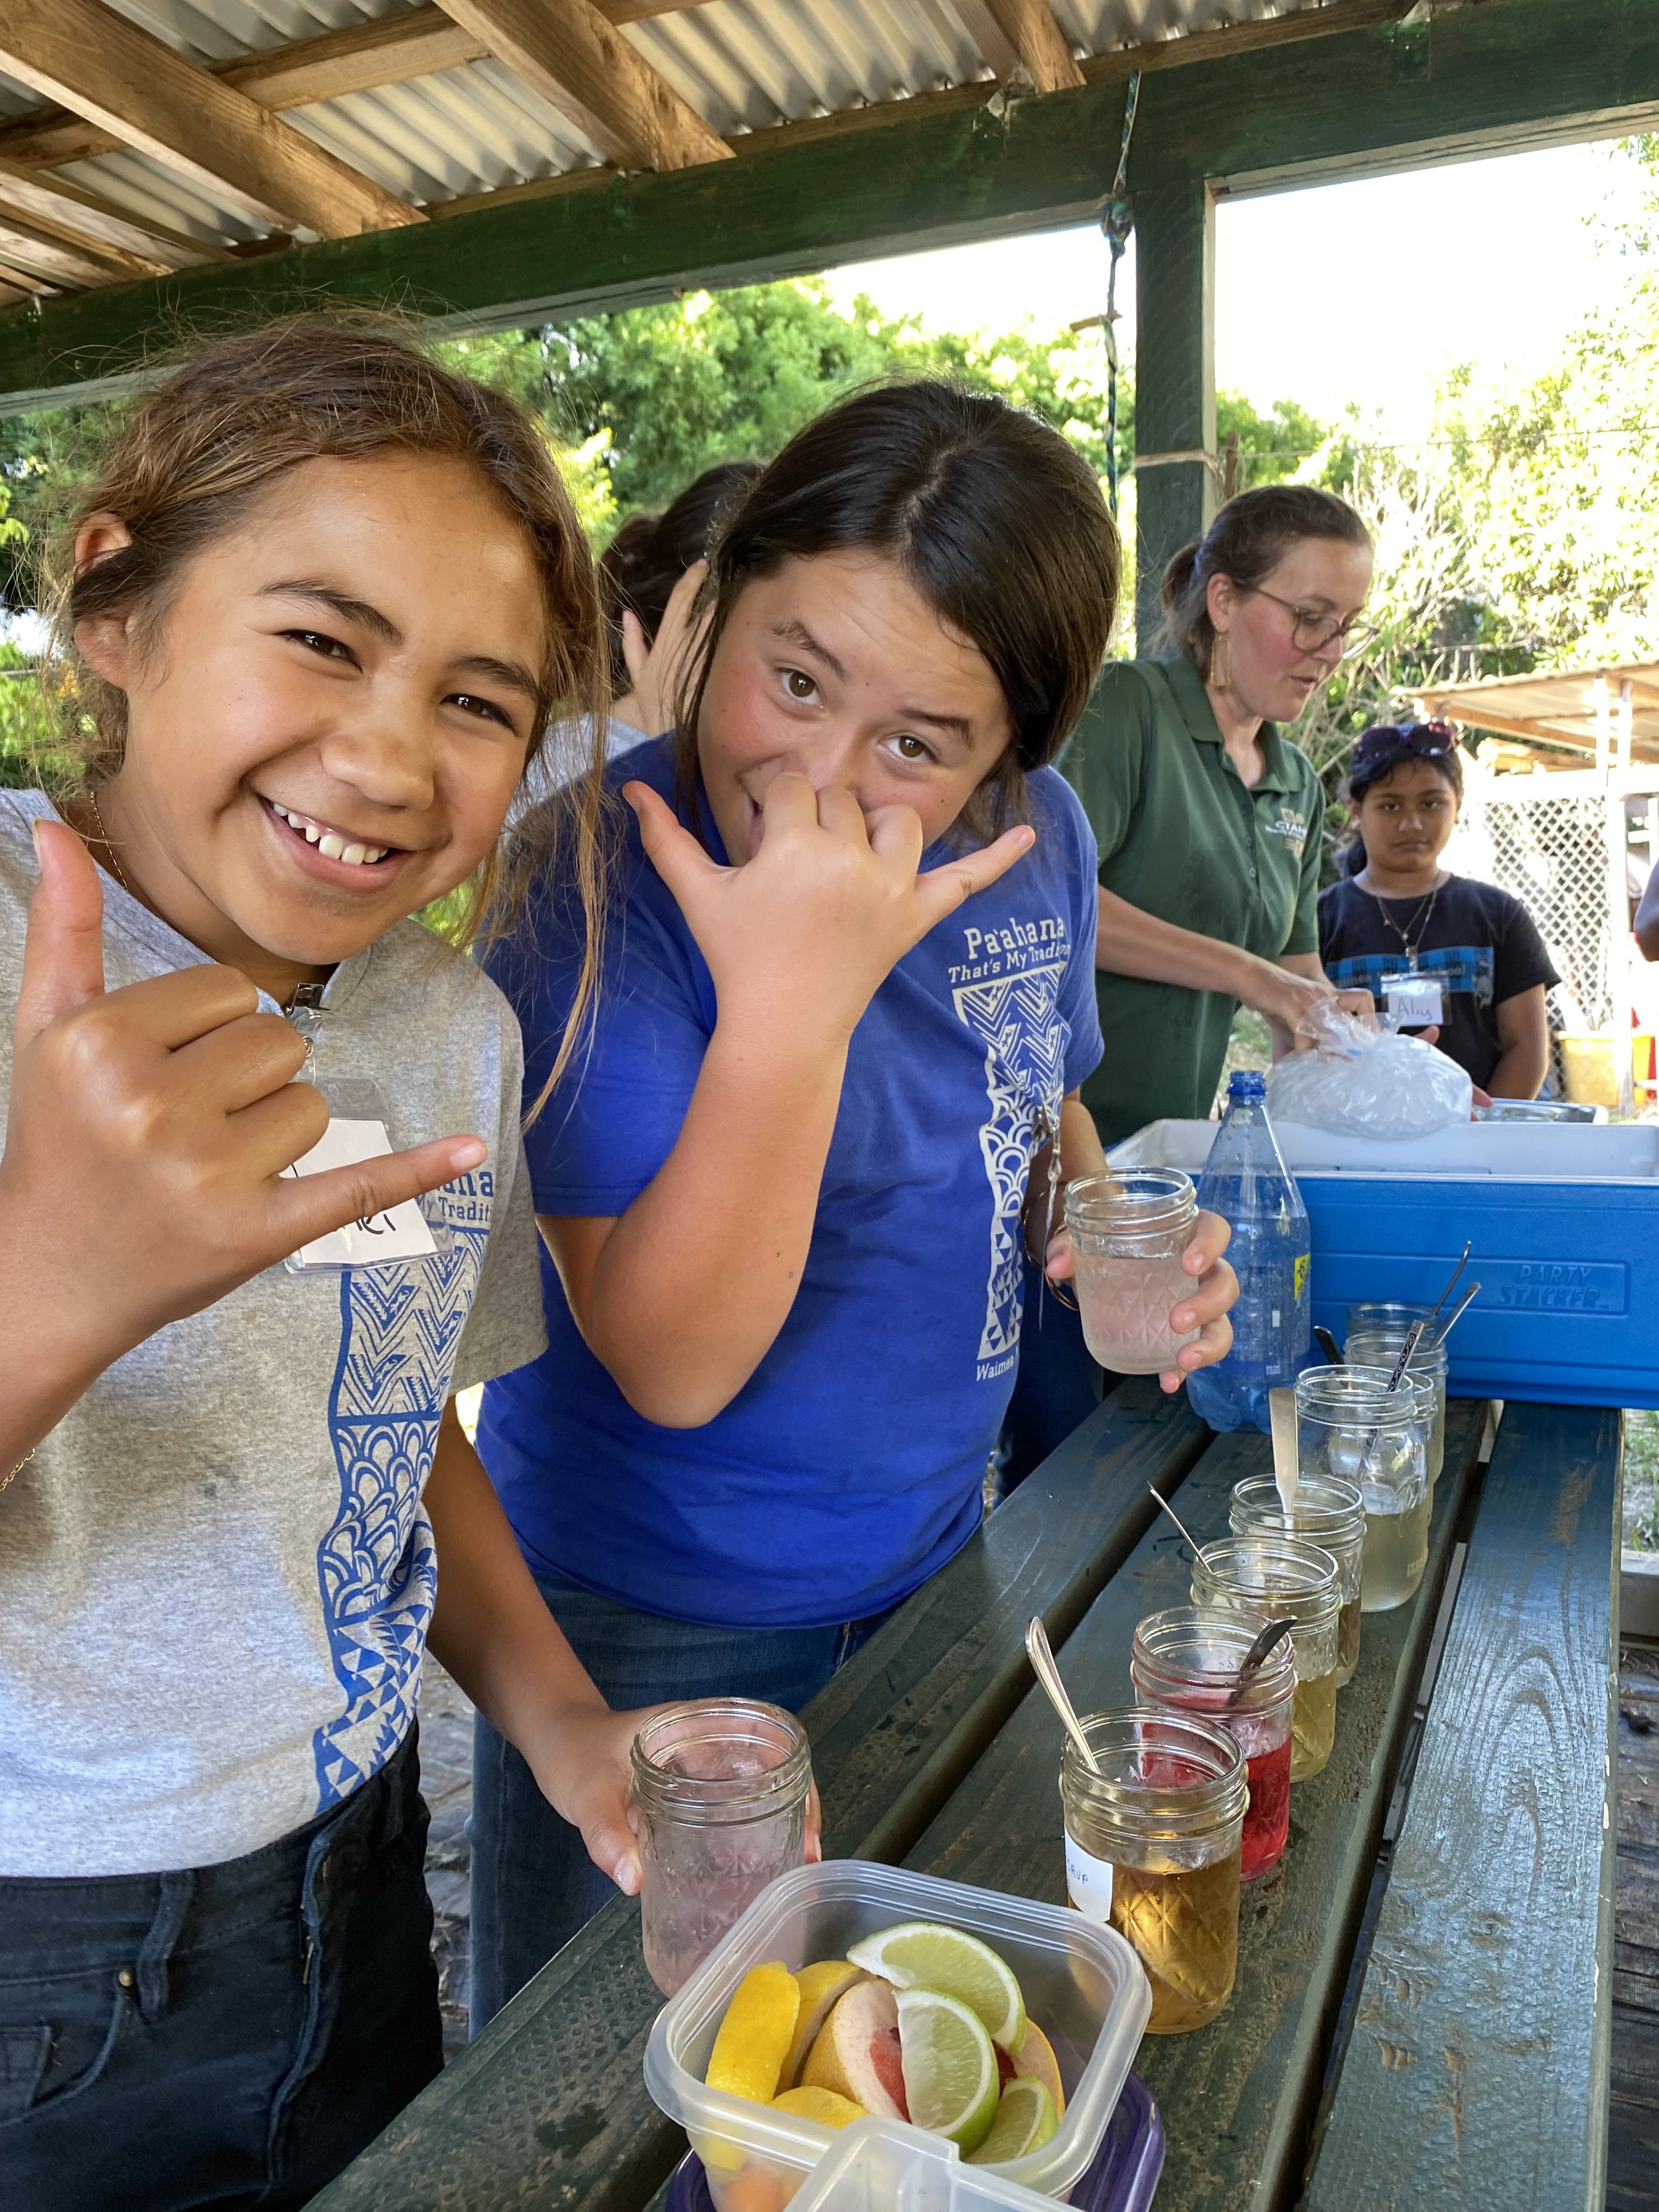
{"points": [[848, 1003]]}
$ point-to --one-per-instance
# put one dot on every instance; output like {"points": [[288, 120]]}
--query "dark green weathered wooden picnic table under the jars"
{"points": [[1423, 1996]]}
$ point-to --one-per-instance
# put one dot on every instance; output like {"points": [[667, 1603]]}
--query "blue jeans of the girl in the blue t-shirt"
{"points": [[534, 1884]]}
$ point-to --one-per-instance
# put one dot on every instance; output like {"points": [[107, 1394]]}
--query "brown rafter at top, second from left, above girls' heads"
{"points": [[578, 63]]}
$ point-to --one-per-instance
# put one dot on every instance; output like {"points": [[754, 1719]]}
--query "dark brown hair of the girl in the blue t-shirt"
{"points": [[994, 521]]}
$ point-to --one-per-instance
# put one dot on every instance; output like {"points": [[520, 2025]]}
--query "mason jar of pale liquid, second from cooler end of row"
{"points": [[1359, 1430]]}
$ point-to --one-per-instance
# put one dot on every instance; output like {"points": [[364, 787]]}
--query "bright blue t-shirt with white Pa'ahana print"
{"points": [[851, 1465]]}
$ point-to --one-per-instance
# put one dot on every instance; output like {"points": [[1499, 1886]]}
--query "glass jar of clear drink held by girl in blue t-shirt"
{"points": [[1129, 1231]]}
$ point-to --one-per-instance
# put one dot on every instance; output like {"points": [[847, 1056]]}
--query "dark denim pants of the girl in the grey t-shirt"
{"points": [[229, 2036]]}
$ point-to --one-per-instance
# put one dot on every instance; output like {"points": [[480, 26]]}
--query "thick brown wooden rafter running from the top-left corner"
{"points": [[149, 98]]}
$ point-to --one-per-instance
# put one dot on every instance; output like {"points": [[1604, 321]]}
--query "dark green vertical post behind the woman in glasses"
{"points": [[1173, 379]]}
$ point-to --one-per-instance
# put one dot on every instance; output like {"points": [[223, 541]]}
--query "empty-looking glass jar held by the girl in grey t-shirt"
{"points": [[722, 1791]]}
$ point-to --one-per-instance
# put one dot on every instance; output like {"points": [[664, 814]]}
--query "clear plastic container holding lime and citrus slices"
{"points": [[1083, 1985]]}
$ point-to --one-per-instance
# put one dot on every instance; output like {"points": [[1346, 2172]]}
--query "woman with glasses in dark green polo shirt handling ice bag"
{"points": [[1209, 826]]}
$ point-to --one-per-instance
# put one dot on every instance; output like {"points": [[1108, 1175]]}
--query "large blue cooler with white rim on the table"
{"points": [[1565, 1231]]}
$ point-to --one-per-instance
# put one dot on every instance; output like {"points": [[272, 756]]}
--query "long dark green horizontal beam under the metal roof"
{"points": [[1474, 81]]}
